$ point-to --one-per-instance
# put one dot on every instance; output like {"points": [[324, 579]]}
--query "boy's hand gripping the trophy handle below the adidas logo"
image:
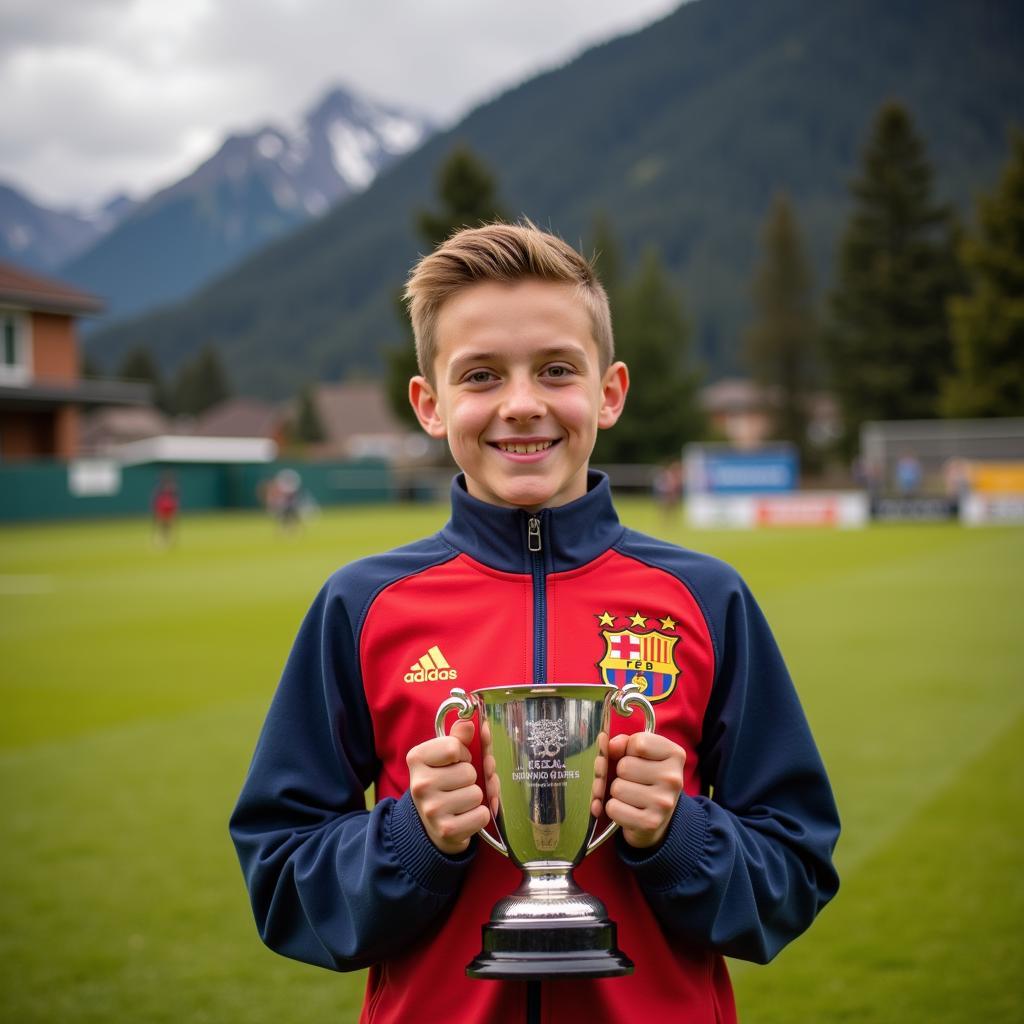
{"points": [[443, 785]]}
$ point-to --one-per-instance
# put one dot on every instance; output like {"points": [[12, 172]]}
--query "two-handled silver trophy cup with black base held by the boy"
{"points": [[545, 760]]}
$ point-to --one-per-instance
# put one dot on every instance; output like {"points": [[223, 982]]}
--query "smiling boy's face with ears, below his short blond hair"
{"points": [[519, 392]]}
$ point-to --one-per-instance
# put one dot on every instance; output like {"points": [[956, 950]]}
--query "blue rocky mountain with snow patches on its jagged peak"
{"points": [[255, 188]]}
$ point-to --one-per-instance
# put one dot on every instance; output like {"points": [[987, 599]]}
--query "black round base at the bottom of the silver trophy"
{"points": [[549, 950]]}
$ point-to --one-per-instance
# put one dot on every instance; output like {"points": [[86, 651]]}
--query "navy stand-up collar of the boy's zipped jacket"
{"points": [[571, 535]]}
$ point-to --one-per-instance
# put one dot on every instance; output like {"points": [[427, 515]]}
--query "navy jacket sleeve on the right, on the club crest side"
{"points": [[746, 868]]}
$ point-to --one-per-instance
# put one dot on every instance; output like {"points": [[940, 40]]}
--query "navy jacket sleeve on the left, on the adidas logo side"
{"points": [[330, 882]]}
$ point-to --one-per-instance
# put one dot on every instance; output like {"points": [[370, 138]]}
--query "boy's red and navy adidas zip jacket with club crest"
{"points": [[503, 596]]}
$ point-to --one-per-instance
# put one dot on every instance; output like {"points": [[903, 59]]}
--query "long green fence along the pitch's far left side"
{"points": [[97, 488]]}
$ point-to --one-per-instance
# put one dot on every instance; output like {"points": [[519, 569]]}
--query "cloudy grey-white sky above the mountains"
{"points": [[102, 96]]}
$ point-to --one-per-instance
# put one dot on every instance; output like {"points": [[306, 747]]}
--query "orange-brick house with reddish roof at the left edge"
{"points": [[42, 394]]}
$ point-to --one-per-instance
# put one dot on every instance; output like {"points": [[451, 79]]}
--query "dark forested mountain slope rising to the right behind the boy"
{"points": [[681, 133]]}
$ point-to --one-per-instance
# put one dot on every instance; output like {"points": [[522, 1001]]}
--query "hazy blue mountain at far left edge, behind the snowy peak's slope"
{"points": [[42, 239]]}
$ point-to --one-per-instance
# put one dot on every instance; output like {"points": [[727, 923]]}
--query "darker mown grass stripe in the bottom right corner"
{"points": [[929, 927]]}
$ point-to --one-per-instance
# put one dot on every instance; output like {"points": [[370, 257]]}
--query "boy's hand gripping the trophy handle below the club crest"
{"points": [[650, 780]]}
